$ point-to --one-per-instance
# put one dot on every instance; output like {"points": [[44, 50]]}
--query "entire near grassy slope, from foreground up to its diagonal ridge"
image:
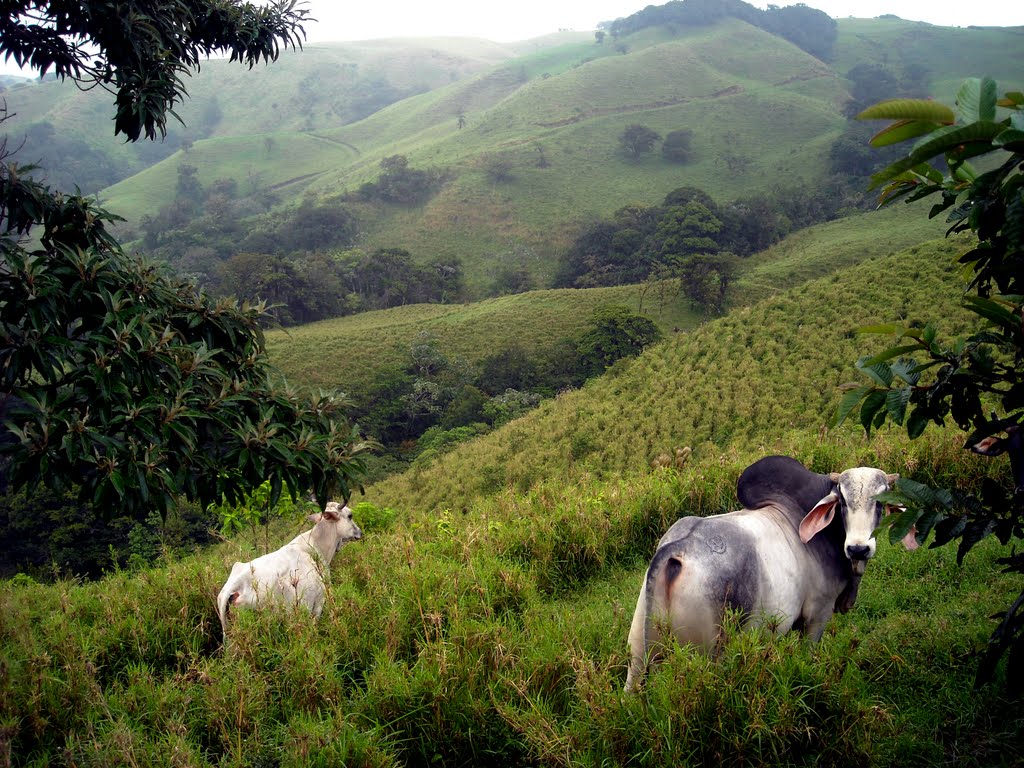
{"points": [[484, 618]]}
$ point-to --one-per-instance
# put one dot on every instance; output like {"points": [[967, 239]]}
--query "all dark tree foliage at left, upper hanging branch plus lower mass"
{"points": [[117, 381]]}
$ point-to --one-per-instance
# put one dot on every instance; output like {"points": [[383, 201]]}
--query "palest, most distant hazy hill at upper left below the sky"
{"points": [[323, 87]]}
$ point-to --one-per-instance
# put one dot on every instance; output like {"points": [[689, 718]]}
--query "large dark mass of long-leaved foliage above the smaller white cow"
{"points": [[152, 391]]}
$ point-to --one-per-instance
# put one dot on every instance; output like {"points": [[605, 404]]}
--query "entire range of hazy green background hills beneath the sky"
{"points": [[524, 140]]}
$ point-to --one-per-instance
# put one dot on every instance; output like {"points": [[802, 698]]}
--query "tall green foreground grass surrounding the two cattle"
{"points": [[498, 637]]}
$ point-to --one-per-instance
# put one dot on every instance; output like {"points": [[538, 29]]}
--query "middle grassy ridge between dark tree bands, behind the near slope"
{"points": [[351, 354]]}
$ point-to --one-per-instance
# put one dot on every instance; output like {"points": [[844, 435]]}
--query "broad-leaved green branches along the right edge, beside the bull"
{"points": [[978, 381]]}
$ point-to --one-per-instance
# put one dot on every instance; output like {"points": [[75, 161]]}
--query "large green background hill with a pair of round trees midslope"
{"points": [[554, 116]]}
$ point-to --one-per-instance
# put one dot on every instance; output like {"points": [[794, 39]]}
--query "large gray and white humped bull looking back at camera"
{"points": [[787, 558]]}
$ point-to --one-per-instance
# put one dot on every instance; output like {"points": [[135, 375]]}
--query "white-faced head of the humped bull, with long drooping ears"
{"points": [[855, 494]]}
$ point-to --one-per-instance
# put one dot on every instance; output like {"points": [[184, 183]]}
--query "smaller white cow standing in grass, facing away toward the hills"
{"points": [[295, 574]]}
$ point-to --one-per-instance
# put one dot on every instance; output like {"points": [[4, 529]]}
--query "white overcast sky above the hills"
{"points": [[520, 20]]}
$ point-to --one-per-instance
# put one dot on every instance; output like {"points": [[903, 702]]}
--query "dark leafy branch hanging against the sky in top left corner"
{"points": [[102, 42]]}
